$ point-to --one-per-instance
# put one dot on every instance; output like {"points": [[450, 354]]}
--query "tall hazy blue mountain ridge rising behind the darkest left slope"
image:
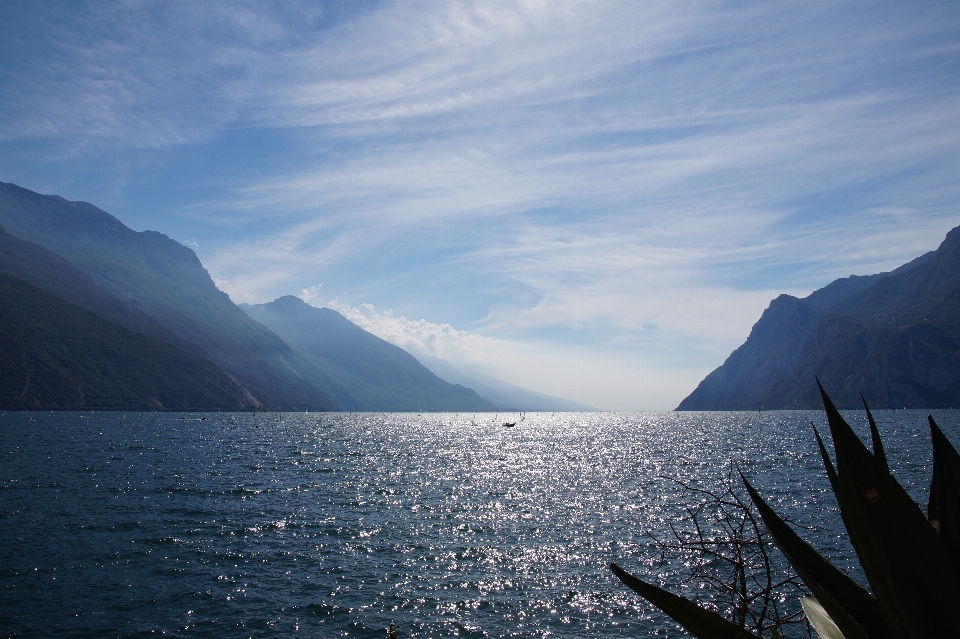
{"points": [[165, 280]]}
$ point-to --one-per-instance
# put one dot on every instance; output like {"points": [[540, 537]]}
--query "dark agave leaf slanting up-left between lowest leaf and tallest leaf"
{"points": [[853, 609]]}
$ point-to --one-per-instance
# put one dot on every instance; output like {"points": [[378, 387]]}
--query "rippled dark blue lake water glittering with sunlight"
{"points": [[334, 525]]}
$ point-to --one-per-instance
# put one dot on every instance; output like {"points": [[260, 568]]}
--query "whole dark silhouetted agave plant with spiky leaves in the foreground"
{"points": [[911, 561]]}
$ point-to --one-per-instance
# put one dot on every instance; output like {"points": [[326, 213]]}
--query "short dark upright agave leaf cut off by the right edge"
{"points": [[943, 508]]}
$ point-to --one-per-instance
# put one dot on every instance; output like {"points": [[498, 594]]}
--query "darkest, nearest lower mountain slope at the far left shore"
{"points": [[56, 355]]}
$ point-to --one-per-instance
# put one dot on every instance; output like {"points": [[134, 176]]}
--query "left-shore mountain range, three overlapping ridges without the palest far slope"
{"points": [[95, 315]]}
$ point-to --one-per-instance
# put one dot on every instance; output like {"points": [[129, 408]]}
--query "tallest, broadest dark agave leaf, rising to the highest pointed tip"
{"points": [[902, 557]]}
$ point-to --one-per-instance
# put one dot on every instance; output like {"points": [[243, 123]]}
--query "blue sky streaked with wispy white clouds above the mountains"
{"points": [[594, 200]]}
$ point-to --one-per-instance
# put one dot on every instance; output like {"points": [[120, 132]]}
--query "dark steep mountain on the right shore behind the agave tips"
{"points": [[894, 337]]}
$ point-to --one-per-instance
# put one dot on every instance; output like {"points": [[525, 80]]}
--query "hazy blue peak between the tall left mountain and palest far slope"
{"points": [[377, 374]]}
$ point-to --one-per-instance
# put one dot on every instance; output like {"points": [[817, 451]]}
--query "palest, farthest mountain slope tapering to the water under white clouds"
{"points": [[504, 396]]}
